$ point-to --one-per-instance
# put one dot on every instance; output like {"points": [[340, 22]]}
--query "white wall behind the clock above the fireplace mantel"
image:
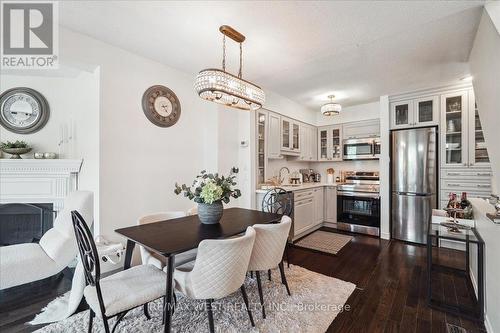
{"points": [[73, 97]]}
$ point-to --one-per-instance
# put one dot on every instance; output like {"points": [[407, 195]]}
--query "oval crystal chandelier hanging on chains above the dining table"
{"points": [[221, 87]]}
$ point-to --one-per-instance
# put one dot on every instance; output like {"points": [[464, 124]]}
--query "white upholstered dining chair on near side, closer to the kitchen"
{"points": [[267, 253]]}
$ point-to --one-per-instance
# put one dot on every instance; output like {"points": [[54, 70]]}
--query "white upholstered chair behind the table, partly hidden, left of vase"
{"points": [[148, 257]]}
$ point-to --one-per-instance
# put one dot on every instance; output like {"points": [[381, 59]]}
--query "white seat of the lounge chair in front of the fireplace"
{"points": [[23, 263]]}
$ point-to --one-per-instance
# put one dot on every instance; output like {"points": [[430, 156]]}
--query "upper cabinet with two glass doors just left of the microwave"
{"points": [[330, 143]]}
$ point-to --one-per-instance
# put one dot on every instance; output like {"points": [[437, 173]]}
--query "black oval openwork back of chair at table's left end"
{"points": [[87, 249]]}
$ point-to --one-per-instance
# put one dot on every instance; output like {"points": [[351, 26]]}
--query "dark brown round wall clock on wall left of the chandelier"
{"points": [[161, 106]]}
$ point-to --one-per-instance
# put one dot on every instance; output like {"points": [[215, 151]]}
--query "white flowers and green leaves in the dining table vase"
{"points": [[209, 188]]}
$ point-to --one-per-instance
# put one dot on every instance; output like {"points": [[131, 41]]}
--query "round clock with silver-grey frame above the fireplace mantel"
{"points": [[23, 110]]}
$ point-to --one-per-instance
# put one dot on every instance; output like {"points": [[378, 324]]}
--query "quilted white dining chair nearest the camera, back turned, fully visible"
{"points": [[218, 271]]}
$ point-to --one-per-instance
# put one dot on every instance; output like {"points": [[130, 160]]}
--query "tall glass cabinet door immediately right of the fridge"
{"points": [[454, 130]]}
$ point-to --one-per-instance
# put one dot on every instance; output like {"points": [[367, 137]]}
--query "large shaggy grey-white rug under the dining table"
{"points": [[315, 302]]}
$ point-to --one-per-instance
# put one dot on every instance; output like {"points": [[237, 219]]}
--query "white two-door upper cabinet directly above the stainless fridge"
{"points": [[415, 112]]}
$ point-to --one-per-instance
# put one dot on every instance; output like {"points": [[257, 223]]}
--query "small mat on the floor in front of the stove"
{"points": [[324, 241]]}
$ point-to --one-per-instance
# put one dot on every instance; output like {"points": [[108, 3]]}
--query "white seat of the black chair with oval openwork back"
{"points": [[127, 289]]}
